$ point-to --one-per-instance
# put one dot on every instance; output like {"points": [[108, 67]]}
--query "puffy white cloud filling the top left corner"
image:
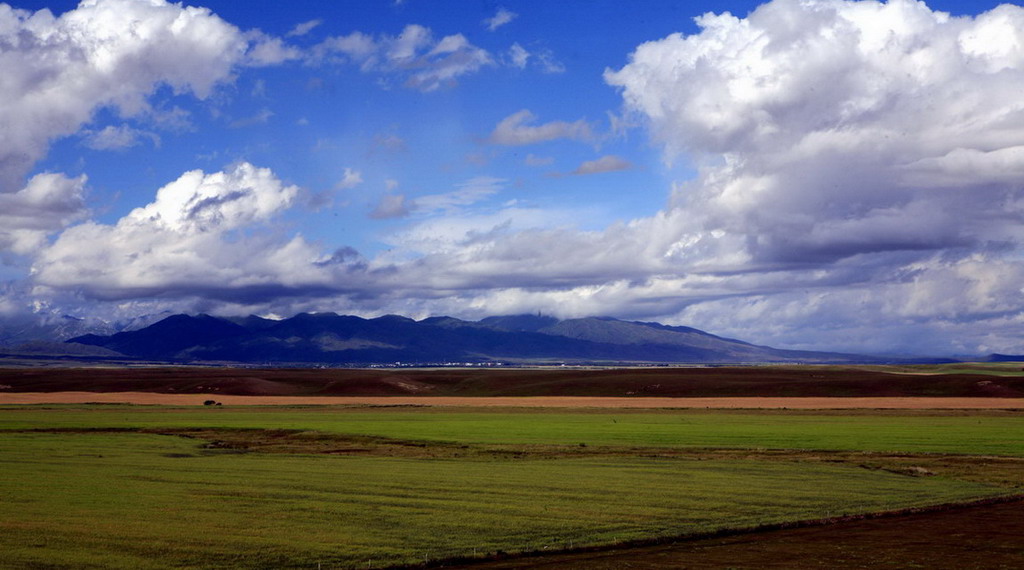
{"points": [[58, 70]]}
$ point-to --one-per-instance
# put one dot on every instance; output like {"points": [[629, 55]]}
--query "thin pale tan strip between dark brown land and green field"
{"points": [[560, 402]]}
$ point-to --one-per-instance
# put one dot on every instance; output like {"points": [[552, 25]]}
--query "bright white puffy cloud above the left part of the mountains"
{"points": [[193, 238]]}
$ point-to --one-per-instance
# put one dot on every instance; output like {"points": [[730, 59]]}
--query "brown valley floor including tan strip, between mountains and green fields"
{"points": [[960, 385]]}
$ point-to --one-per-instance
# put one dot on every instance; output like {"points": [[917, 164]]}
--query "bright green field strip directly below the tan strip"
{"points": [[976, 432]]}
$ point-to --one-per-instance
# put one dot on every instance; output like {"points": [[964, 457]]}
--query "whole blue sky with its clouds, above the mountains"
{"points": [[823, 176]]}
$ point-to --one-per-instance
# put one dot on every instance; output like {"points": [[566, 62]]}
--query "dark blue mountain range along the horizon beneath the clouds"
{"points": [[311, 339]]}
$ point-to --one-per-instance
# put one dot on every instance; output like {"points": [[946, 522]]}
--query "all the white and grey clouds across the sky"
{"points": [[858, 181]]}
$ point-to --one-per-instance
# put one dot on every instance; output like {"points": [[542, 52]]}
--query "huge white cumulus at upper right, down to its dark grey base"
{"points": [[845, 128]]}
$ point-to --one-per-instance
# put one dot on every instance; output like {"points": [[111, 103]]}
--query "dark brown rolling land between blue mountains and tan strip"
{"points": [[726, 382]]}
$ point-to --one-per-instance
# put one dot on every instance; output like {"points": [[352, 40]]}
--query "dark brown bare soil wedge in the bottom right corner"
{"points": [[980, 538]]}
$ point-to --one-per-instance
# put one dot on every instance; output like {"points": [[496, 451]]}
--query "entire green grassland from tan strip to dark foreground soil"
{"points": [[279, 488]]}
